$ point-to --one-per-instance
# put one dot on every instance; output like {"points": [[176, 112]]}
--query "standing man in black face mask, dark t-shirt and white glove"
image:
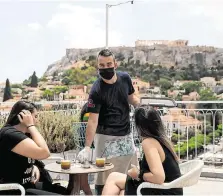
{"points": [[109, 118]]}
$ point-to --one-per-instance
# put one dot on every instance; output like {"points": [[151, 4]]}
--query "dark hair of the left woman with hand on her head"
{"points": [[16, 109]]}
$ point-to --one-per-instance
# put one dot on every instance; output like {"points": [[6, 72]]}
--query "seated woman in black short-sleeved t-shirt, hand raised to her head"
{"points": [[20, 145]]}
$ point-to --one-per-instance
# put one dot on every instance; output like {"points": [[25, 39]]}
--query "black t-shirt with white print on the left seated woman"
{"points": [[14, 168]]}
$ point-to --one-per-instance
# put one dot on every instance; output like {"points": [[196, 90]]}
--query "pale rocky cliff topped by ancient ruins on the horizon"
{"points": [[161, 52]]}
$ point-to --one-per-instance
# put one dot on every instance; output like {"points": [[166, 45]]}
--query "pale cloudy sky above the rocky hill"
{"points": [[34, 33]]}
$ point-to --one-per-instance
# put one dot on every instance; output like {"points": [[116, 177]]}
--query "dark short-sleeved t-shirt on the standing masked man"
{"points": [[111, 102]]}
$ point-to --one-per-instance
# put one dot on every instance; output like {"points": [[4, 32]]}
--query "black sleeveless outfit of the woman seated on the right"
{"points": [[172, 172]]}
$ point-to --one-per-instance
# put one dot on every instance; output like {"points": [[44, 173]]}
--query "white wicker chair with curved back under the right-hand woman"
{"points": [[190, 171]]}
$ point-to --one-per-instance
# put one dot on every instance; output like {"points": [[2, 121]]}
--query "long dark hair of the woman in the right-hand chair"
{"points": [[149, 124]]}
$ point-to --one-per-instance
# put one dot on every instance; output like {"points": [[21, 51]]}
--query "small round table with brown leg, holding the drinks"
{"points": [[75, 172]]}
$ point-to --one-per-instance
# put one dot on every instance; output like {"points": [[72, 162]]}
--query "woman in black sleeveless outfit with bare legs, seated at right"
{"points": [[159, 163]]}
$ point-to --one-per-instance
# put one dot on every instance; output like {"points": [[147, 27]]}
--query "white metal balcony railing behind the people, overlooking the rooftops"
{"points": [[195, 133]]}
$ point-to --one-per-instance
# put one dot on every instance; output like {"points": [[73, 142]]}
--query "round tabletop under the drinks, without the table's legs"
{"points": [[76, 169]]}
